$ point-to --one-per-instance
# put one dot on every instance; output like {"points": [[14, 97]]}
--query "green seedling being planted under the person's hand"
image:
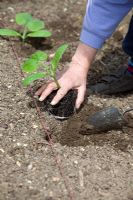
{"points": [[37, 61]]}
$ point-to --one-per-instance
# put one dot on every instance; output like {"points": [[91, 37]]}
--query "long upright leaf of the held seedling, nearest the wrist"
{"points": [[58, 55]]}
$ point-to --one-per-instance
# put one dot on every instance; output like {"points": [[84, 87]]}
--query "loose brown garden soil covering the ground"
{"points": [[96, 166]]}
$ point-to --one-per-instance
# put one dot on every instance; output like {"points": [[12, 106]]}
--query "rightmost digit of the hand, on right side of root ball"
{"points": [[80, 96]]}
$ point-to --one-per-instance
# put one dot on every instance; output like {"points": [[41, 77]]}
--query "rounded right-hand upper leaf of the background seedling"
{"points": [[35, 25]]}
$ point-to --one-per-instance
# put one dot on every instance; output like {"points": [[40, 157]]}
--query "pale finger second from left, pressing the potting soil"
{"points": [[47, 91]]}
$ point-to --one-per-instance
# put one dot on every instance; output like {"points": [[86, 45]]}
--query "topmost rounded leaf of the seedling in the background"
{"points": [[23, 18]]}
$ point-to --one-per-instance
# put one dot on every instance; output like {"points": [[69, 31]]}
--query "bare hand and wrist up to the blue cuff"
{"points": [[73, 78]]}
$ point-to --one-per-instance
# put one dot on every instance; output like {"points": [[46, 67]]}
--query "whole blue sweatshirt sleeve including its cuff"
{"points": [[101, 19]]}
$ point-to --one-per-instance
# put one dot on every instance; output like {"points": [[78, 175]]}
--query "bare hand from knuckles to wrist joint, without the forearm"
{"points": [[73, 78]]}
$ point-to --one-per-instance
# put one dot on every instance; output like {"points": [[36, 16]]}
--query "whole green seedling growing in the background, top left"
{"points": [[32, 27]]}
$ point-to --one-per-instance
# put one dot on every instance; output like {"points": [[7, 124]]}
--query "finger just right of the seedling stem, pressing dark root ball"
{"points": [[60, 94]]}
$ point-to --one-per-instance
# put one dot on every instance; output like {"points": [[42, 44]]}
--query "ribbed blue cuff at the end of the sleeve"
{"points": [[91, 39]]}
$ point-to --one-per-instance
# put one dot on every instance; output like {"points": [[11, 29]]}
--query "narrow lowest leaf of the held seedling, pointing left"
{"points": [[28, 80]]}
